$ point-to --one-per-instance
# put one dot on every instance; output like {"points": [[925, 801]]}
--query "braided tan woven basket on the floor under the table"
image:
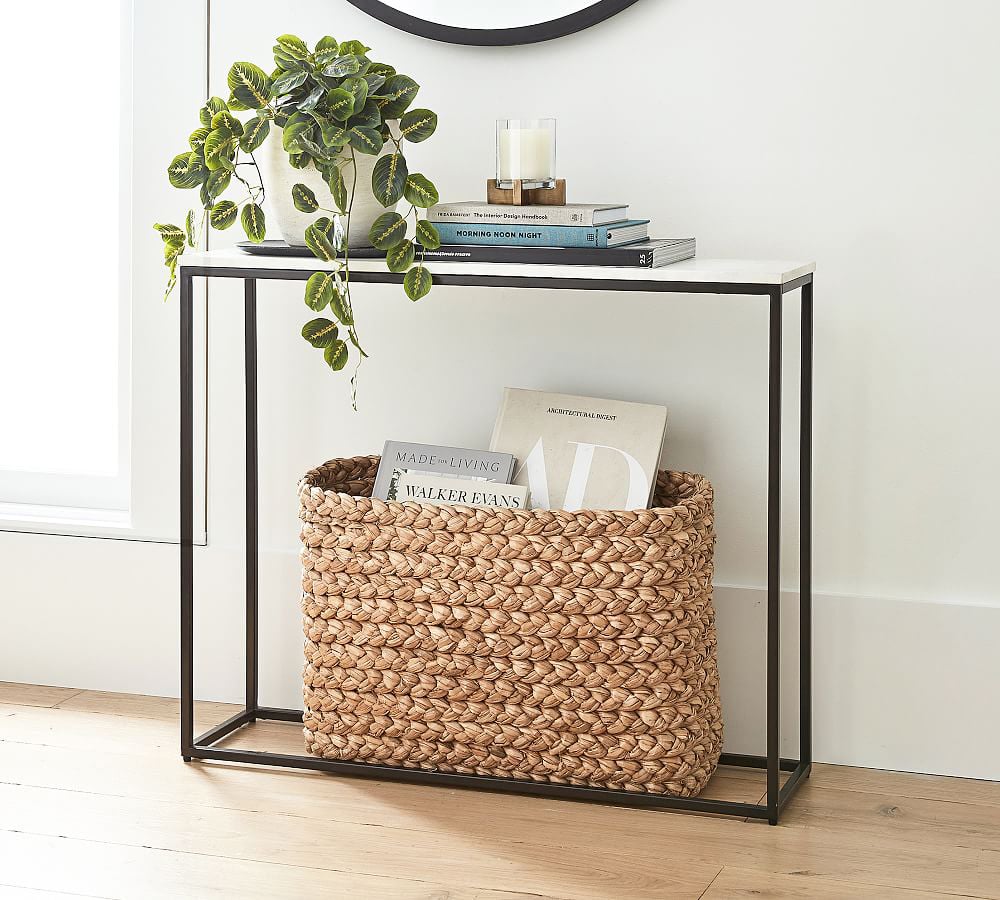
{"points": [[567, 647]]}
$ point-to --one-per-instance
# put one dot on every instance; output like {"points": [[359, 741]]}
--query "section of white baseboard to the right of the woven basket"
{"points": [[897, 684]]}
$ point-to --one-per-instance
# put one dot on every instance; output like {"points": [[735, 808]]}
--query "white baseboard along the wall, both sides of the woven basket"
{"points": [[897, 684]]}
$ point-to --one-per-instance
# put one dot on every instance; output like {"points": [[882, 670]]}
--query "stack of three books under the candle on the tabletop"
{"points": [[582, 234]]}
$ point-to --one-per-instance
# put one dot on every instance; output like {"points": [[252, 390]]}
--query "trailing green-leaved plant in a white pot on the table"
{"points": [[342, 121]]}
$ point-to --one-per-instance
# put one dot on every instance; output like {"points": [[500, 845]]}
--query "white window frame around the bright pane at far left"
{"points": [[141, 502]]}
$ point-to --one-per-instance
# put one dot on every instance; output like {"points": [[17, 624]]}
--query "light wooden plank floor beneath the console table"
{"points": [[95, 802]]}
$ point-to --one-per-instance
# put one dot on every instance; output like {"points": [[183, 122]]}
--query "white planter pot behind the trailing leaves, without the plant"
{"points": [[280, 176]]}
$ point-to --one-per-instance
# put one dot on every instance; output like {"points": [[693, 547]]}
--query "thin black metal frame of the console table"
{"points": [[203, 746]]}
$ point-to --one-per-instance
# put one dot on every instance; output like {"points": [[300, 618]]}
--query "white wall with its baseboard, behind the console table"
{"points": [[859, 134]]}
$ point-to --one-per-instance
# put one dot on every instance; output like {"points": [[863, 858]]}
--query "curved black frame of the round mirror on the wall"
{"points": [[494, 37]]}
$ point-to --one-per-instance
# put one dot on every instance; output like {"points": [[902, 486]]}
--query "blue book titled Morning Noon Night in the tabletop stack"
{"points": [[495, 234]]}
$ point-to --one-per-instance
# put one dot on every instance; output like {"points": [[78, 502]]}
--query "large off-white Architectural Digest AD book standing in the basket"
{"points": [[581, 452]]}
